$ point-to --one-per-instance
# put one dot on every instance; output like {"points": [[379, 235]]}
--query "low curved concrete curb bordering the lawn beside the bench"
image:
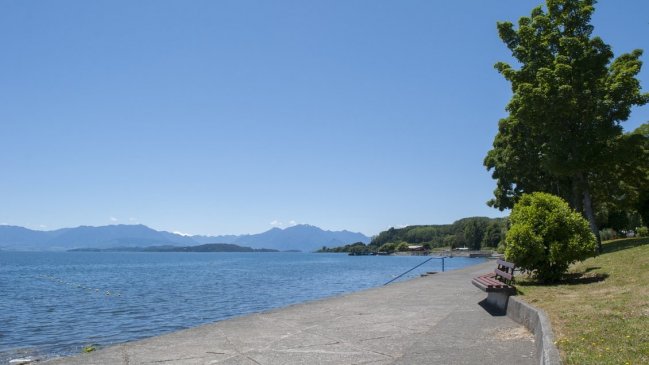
{"points": [[537, 322]]}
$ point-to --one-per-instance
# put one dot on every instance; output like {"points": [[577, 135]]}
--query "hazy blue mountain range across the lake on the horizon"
{"points": [[301, 237]]}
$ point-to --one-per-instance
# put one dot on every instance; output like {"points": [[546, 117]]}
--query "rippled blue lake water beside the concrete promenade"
{"points": [[57, 303]]}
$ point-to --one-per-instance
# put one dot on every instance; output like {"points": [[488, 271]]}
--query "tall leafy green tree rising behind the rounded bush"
{"points": [[563, 131]]}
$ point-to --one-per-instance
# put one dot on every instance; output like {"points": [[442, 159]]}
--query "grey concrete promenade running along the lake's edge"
{"points": [[436, 319]]}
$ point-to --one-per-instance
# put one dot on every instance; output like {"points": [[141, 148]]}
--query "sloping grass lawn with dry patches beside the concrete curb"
{"points": [[600, 314]]}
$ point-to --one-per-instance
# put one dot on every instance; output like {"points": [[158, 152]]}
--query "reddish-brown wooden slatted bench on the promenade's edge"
{"points": [[498, 285]]}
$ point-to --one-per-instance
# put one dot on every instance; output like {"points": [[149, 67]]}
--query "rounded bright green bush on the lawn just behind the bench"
{"points": [[546, 236]]}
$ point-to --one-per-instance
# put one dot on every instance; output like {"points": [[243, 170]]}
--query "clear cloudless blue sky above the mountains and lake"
{"points": [[233, 117]]}
